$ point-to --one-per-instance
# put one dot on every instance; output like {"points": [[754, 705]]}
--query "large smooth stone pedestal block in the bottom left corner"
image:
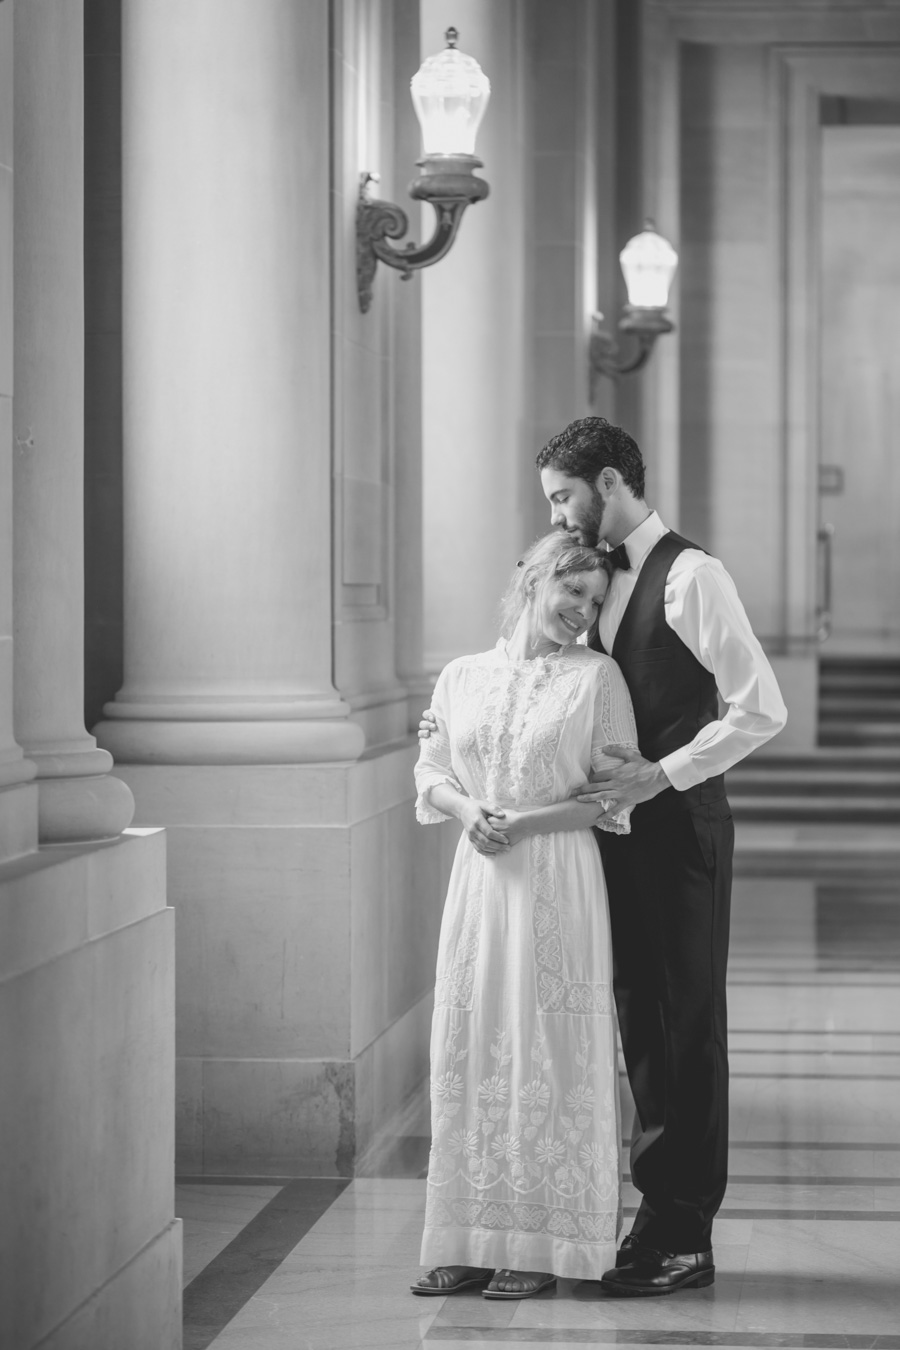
{"points": [[90, 1249]]}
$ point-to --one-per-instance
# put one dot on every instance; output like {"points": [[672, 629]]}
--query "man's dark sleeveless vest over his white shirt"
{"points": [[674, 696]]}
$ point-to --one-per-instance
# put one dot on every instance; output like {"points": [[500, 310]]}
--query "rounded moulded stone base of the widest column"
{"points": [[154, 742]]}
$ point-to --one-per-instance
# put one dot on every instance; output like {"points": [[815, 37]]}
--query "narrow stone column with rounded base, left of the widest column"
{"points": [[79, 800]]}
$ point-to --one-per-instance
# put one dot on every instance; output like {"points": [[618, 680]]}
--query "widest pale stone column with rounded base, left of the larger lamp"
{"points": [[227, 425]]}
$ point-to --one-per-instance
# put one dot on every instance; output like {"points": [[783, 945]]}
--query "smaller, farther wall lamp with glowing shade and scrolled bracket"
{"points": [[648, 264]]}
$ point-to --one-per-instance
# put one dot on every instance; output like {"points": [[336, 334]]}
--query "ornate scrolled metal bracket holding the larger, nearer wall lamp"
{"points": [[450, 184]]}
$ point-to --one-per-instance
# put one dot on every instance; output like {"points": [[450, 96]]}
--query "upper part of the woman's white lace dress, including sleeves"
{"points": [[524, 734]]}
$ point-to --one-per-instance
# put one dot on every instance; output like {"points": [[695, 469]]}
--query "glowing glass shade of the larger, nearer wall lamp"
{"points": [[450, 95]]}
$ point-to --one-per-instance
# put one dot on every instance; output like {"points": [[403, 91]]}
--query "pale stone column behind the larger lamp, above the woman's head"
{"points": [[478, 476]]}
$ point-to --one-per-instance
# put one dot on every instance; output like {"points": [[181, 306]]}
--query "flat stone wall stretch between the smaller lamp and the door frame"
{"points": [[729, 287]]}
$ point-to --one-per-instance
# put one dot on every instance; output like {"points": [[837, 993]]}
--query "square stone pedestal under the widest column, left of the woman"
{"points": [[308, 905]]}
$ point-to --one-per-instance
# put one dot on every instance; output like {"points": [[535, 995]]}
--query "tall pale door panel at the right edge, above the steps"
{"points": [[860, 388]]}
